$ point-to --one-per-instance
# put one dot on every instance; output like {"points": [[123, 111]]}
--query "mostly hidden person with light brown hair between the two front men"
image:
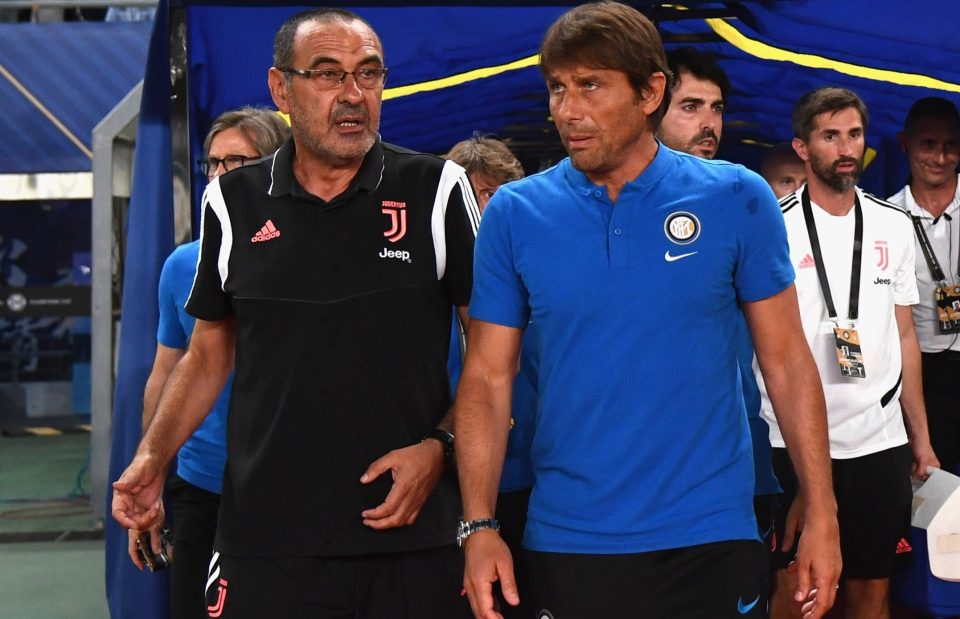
{"points": [[490, 164]]}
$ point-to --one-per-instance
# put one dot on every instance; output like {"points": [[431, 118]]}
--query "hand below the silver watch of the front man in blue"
{"points": [[487, 561]]}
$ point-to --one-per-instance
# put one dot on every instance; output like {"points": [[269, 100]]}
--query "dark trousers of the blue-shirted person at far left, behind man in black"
{"points": [[195, 525]]}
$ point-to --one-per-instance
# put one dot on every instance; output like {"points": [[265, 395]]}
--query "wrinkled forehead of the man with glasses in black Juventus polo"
{"points": [[336, 40]]}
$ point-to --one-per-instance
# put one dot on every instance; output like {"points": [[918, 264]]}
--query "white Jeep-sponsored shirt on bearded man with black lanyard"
{"points": [[858, 424]]}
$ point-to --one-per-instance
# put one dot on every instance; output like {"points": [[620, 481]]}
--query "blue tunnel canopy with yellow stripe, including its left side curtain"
{"points": [[457, 69]]}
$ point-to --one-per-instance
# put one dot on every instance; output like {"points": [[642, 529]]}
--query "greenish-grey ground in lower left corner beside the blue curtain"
{"points": [[51, 548]]}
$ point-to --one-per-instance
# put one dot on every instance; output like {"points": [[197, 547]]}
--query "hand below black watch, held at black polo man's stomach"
{"points": [[416, 470]]}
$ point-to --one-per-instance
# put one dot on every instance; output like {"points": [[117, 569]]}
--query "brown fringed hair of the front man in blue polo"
{"points": [[608, 35]]}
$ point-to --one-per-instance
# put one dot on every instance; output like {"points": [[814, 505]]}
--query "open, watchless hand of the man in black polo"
{"points": [[136, 495]]}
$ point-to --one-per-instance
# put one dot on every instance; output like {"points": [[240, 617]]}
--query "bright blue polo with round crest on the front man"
{"points": [[641, 440]]}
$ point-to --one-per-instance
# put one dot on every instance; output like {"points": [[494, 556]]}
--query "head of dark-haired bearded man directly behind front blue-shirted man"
{"points": [[694, 121]]}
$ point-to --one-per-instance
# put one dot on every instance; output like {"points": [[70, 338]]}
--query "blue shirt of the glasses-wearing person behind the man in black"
{"points": [[201, 459]]}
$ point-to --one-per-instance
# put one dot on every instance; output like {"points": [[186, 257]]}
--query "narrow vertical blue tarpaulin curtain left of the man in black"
{"points": [[130, 593]]}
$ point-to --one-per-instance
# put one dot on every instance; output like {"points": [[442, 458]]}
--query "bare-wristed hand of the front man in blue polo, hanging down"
{"points": [[818, 564]]}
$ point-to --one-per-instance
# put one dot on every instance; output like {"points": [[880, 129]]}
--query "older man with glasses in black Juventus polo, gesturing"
{"points": [[328, 272]]}
